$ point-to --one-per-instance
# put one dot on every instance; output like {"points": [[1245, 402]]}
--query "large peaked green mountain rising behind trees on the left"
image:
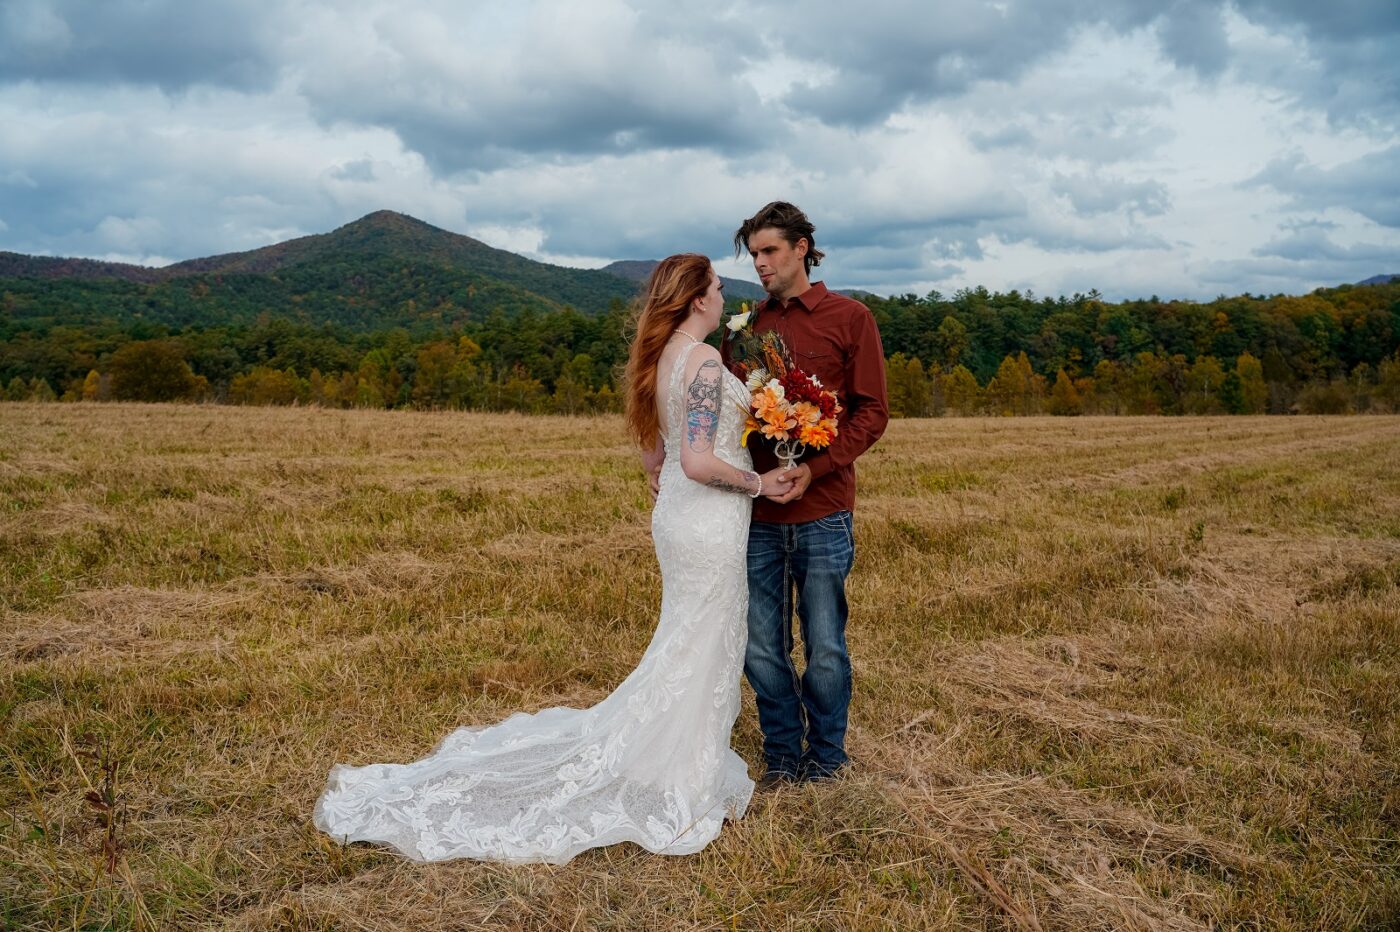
{"points": [[380, 272]]}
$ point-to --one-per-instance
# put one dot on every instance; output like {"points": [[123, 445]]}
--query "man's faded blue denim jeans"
{"points": [[811, 563]]}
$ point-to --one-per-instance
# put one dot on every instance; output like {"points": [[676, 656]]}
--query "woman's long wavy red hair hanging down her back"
{"points": [[664, 306]]}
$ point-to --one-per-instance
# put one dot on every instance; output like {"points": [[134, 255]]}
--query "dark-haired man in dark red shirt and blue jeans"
{"points": [[801, 544]]}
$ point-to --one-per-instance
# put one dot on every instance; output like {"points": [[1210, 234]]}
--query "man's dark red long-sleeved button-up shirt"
{"points": [[835, 339]]}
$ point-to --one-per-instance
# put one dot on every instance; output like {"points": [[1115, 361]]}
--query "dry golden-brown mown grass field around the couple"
{"points": [[1111, 674]]}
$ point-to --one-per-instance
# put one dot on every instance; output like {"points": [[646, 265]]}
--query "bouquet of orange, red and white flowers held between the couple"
{"points": [[787, 405]]}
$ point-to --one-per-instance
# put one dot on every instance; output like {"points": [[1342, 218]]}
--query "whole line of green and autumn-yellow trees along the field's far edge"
{"points": [[972, 353]]}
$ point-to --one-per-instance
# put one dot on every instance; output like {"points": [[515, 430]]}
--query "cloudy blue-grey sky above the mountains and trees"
{"points": [[1185, 149]]}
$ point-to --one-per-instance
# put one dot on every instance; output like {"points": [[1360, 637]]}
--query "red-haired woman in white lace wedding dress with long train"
{"points": [[650, 763]]}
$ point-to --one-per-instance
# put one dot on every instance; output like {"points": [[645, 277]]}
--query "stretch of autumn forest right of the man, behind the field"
{"points": [[1328, 352]]}
